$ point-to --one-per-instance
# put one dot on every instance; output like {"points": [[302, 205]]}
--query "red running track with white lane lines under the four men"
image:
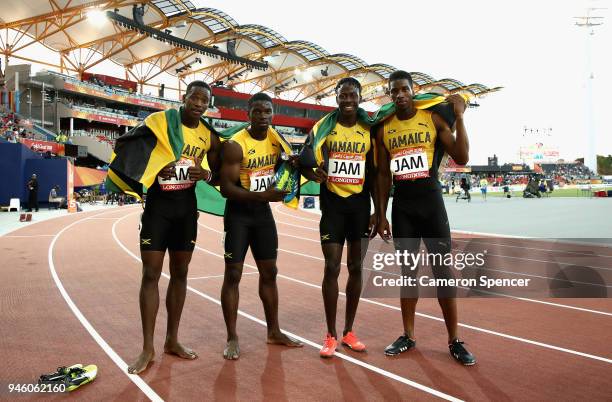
{"points": [[70, 294]]}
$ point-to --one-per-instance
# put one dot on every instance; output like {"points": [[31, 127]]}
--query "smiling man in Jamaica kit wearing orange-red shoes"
{"points": [[345, 179]]}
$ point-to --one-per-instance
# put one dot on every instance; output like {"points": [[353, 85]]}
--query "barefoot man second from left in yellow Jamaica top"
{"points": [[247, 174]]}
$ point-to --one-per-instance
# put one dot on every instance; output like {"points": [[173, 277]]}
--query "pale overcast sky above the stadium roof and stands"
{"points": [[531, 48]]}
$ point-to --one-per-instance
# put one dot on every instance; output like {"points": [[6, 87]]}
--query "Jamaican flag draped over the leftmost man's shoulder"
{"points": [[140, 154]]}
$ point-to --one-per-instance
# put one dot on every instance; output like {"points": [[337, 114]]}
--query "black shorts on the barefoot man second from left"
{"points": [[249, 224]]}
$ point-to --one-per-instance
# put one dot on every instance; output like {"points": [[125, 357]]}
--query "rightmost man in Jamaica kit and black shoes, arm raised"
{"points": [[410, 146]]}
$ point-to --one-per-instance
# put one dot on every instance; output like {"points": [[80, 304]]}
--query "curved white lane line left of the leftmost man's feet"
{"points": [[140, 383]]}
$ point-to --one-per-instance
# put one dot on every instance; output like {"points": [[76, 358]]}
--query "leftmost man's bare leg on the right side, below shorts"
{"points": [[175, 299]]}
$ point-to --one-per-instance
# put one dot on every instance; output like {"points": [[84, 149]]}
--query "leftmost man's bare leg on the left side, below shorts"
{"points": [[149, 303]]}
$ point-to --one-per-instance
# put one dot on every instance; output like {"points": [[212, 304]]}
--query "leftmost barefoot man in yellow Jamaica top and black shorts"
{"points": [[169, 221]]}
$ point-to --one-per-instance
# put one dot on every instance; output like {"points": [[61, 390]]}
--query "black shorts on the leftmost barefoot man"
{"points": [[168, 224]]}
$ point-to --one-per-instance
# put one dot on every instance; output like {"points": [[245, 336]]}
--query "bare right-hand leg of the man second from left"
{"points": [[268, 293]]}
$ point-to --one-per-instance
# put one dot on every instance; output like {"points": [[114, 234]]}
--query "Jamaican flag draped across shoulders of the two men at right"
{"points": [[312, 155]]}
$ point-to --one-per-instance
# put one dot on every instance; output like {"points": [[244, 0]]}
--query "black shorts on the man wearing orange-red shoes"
{"points": [[343, 218]]}
